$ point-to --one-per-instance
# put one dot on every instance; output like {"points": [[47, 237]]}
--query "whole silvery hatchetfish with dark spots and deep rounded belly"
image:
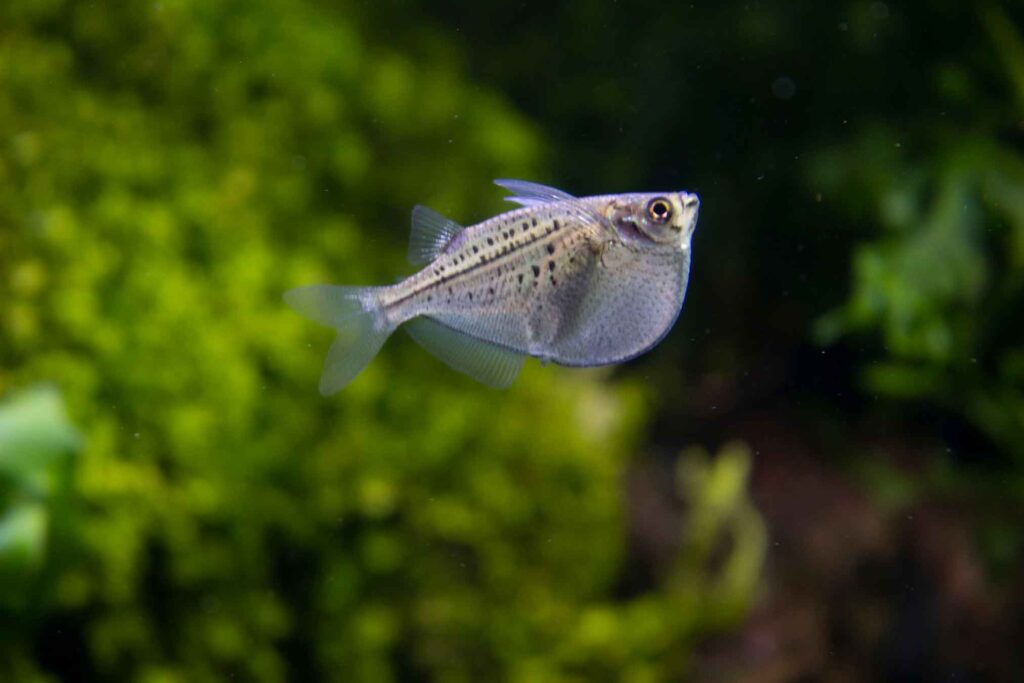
{"points": [[580, 282]]}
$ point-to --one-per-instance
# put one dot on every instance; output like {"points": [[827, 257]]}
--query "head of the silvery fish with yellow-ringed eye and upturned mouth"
{"points": [[657, 220]]}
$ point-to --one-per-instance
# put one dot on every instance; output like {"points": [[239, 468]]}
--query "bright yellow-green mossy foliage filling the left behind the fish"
{"points": [[167, 170]]}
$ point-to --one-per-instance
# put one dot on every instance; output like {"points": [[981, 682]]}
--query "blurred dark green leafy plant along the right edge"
{"points": [[940, 293]]}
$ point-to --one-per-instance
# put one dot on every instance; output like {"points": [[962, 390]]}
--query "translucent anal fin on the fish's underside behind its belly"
{"points": [[486, 363]]}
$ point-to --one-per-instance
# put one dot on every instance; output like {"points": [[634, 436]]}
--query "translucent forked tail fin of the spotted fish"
{"points": [[362, 327]]}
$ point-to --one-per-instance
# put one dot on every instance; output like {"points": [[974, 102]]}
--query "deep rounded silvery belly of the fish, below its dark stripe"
{"points": [[577, 308]]}
